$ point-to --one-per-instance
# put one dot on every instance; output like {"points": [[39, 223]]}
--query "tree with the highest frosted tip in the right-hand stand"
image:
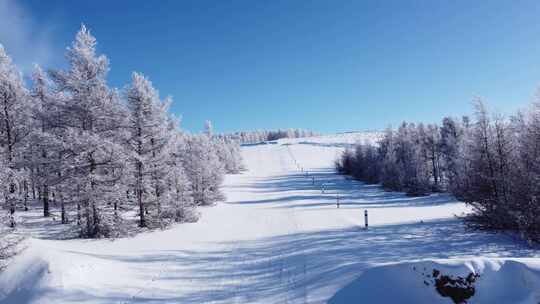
{"points": [[488, 162]]}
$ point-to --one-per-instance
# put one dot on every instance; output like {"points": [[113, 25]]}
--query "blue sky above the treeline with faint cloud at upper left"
{"points": [[323, 65]]}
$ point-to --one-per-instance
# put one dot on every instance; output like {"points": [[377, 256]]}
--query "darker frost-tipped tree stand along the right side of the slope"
{"points": [[490, 162]]}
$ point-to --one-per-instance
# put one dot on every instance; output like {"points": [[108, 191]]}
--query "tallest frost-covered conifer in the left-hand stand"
{"points": [[90, 121]]}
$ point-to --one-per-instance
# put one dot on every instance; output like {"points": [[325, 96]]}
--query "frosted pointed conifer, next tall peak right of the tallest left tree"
{"points": [[151, 141]]}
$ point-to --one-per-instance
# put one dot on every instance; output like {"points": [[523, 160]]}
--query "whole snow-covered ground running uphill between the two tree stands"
{"points": [[279, 239]]}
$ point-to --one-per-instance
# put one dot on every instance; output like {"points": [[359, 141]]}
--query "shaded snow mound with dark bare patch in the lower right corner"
{"points": [[499, 281]]}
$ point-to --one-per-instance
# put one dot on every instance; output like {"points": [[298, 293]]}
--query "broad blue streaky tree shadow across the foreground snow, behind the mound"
{"points": [[299, 267]]}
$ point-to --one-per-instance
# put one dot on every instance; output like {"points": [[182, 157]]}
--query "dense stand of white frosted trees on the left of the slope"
{"points": [[99, 158]]}
